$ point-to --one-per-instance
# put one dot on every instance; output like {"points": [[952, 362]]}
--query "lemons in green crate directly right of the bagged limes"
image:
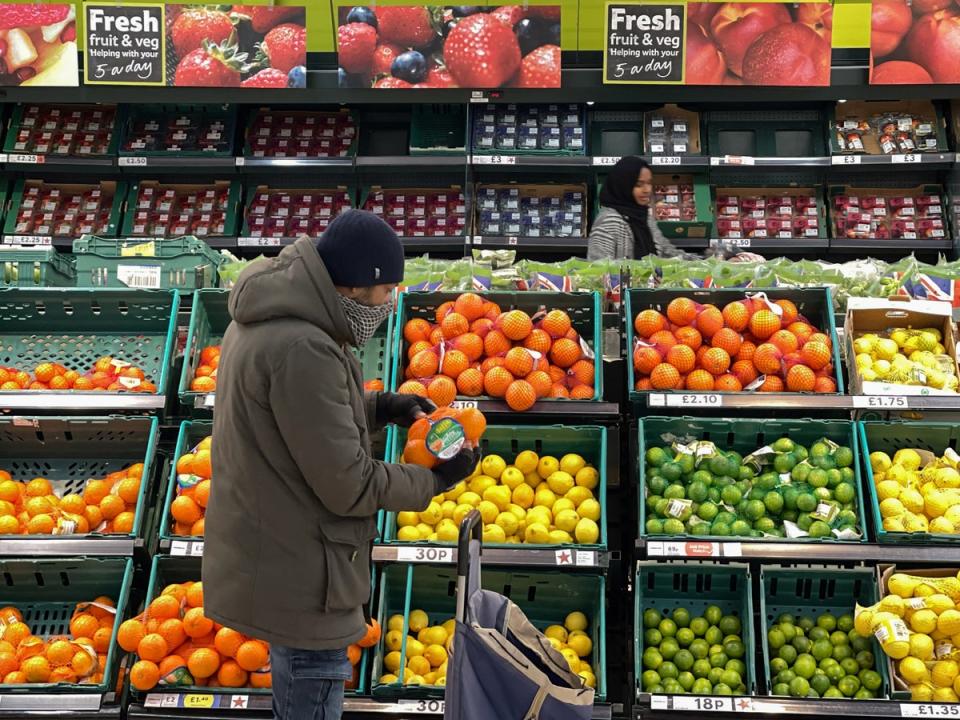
{"points": [[918, 496]]}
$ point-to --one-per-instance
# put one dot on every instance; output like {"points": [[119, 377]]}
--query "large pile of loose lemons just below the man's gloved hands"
{"points": [[537, 500]]}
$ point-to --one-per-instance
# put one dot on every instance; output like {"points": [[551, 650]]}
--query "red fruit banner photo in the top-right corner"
{"points": [[916, 43]]}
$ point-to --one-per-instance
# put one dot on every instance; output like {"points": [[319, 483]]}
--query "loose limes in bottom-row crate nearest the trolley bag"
{"points": [[702, 655]]}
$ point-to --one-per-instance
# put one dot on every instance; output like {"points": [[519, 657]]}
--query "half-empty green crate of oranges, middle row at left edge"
{"points": [[70, 450]]}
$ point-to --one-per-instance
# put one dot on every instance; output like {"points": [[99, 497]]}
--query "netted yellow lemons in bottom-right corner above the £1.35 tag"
{"points": [[918, 625]]}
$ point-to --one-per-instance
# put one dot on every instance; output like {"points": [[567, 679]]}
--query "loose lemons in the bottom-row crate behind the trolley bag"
{"points": [[428, 647]]}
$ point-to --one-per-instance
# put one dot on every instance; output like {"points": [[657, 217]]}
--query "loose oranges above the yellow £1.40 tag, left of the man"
{"points": [[178, 645]]}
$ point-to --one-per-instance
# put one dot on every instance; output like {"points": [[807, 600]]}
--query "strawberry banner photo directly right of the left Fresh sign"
{"points": [[248, 46]]}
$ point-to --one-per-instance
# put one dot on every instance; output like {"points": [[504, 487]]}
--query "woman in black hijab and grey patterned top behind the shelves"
{"points": [[624, 227]]}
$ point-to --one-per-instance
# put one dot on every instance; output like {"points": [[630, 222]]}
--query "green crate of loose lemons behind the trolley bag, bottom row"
{"points": [[546, 597]]}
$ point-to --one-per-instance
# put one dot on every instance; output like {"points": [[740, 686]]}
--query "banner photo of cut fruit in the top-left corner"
{"points": [[39, 45]]}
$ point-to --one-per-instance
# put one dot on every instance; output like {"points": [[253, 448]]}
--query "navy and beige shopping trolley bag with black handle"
{"points": [[500, 665]]}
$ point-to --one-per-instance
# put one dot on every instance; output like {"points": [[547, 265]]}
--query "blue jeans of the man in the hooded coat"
{"points": [[308, 684]]}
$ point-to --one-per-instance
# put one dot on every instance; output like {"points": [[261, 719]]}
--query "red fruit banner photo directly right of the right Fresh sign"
{"points": [[771, 43]]}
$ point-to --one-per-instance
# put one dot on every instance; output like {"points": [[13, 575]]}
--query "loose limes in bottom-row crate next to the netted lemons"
{"points": [[825, 657]]}
